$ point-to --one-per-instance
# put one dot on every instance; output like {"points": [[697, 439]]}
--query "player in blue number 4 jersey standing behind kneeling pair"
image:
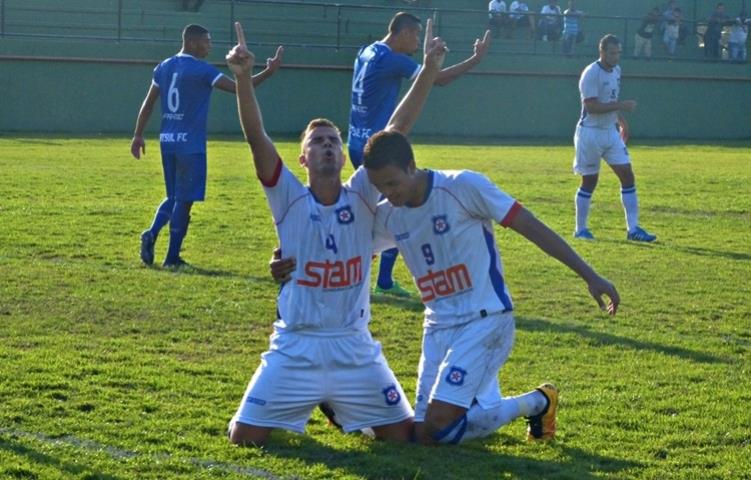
{"points": [[378, 72]]}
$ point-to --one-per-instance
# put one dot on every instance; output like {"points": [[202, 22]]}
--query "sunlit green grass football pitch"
{"points": [[112, 370]]}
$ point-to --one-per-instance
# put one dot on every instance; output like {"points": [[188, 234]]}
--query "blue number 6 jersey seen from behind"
{"points": [[185, 84]]}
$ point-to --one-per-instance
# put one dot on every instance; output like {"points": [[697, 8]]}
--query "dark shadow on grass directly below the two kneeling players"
{"points": [[475, 459]]}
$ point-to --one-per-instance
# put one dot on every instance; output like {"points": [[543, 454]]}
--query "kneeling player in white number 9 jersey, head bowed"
{"points": [[442, 222]]}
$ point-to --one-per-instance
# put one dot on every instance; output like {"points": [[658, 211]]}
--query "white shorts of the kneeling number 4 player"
{"points": [[299, 371]]}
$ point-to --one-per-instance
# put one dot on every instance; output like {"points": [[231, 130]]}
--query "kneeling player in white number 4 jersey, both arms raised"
{"points": [[321, 350]]}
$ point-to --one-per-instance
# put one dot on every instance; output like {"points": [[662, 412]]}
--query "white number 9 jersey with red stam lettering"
{"points": [[449, 246]]}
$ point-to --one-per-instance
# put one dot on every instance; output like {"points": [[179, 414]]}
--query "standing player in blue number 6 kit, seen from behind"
{"points": [[187, 81]]}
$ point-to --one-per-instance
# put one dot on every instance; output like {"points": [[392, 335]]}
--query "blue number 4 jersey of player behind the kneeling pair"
{"points": [[376, 81]]}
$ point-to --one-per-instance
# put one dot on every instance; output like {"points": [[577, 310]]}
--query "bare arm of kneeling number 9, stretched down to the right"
{"points": [[551, 243]]}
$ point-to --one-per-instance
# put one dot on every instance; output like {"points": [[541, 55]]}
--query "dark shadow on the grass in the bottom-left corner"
{"points": [[35, 457]]}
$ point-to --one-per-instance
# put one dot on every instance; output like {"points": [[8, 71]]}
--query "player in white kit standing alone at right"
{"points": [[597, 136]]}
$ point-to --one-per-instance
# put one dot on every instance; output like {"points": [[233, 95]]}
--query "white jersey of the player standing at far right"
{"points": [[605, 86]]}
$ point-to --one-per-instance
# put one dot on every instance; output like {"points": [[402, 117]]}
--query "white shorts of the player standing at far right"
{"points": [[592, 144]]}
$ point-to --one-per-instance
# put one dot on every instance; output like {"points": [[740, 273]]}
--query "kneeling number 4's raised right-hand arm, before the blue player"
{"points": [[408, 110]]}
